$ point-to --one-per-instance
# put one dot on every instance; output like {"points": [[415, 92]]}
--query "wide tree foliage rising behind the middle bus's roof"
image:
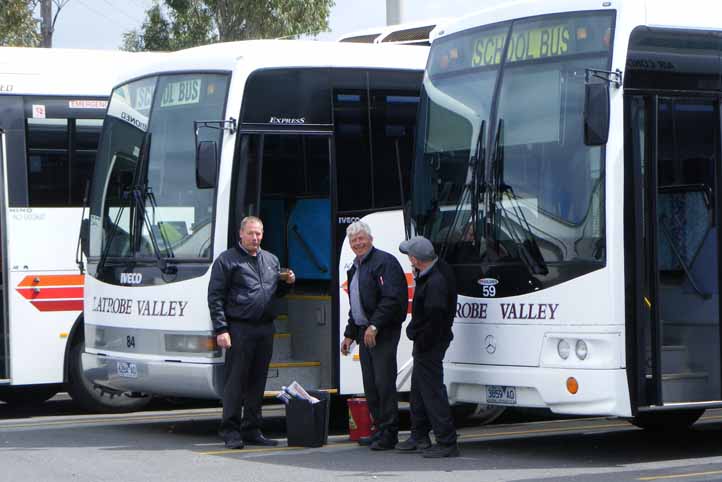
{"points": [[176, 24]]}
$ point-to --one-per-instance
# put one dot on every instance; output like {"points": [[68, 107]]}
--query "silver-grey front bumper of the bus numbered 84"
{"points": [[177, 379]]}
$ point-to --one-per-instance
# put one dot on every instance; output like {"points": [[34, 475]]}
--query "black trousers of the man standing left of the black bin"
{"points": [[246, 370]]}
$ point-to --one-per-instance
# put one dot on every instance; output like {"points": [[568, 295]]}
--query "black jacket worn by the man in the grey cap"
{"points": [[433, 308]]}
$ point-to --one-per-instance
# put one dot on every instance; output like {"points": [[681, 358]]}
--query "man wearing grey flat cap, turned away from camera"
{"points": [[433, 311]]}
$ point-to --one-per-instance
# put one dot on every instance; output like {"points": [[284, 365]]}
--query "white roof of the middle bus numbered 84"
{"points": [[262, 54]]}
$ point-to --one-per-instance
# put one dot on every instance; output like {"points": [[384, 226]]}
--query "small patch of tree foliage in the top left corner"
{"points": [[18, 26]]}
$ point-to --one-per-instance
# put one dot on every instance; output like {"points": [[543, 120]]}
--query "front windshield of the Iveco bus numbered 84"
{"points": [[144, 200]]}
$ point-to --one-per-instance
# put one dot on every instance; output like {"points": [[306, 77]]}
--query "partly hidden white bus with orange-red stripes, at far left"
{"points": [[52, 104]]}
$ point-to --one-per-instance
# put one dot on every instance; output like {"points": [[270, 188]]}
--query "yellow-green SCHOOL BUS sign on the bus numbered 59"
{"points": [[538, 43]]}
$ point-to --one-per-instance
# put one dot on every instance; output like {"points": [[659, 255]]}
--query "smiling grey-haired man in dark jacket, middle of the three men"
{"points": [[378, 294]]}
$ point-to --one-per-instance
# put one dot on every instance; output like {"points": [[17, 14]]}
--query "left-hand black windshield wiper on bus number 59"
{"points": [[477, 159]]}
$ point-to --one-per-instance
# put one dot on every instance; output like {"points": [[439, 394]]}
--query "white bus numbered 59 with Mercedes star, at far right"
{"points": [[568, 169]]}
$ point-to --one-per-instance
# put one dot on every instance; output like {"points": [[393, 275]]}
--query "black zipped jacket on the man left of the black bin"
{"points": [[242, 288]]}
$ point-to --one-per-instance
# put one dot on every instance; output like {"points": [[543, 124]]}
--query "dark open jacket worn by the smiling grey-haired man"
{"points": [[383, 290]]}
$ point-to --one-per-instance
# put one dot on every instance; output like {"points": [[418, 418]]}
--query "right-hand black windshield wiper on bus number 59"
{"points": [[527, 246]]}
